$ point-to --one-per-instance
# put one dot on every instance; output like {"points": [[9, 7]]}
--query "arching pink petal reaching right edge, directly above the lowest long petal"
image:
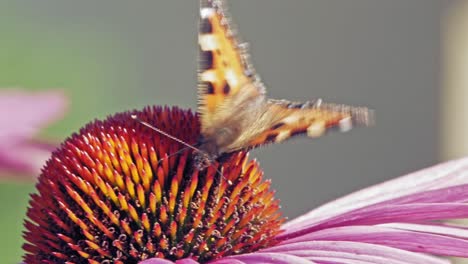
{"points": [[406, 240]]}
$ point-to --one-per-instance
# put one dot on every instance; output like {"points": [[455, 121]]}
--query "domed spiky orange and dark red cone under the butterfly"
{"points": [[109, 194]]}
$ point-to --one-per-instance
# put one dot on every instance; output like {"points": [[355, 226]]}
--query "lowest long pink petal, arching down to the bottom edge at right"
{"points": [[354, 251]]}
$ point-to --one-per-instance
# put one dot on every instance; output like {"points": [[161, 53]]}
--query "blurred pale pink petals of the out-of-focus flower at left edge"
{"points": [[22, 115]]}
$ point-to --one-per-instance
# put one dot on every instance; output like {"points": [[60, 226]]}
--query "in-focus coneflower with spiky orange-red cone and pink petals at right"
{"points": [[116, 193]]}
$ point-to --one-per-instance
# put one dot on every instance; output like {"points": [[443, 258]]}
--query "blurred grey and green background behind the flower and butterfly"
{"points": [[406, 59]]}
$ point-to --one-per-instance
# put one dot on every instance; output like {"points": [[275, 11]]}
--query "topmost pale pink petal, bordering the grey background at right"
{"points": [[445, 175]]}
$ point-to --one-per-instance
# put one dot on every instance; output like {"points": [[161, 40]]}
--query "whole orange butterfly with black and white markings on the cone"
{"points": [[234, 112]]}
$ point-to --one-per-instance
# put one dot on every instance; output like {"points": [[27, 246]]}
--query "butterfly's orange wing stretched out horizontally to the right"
{"points": [[282, 120]]}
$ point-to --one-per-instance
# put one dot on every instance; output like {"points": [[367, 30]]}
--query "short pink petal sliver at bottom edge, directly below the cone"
{"points": [[273, 258]]}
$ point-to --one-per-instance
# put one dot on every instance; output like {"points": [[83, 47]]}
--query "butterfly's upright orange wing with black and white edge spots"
{"points": [[224, 67]]}
